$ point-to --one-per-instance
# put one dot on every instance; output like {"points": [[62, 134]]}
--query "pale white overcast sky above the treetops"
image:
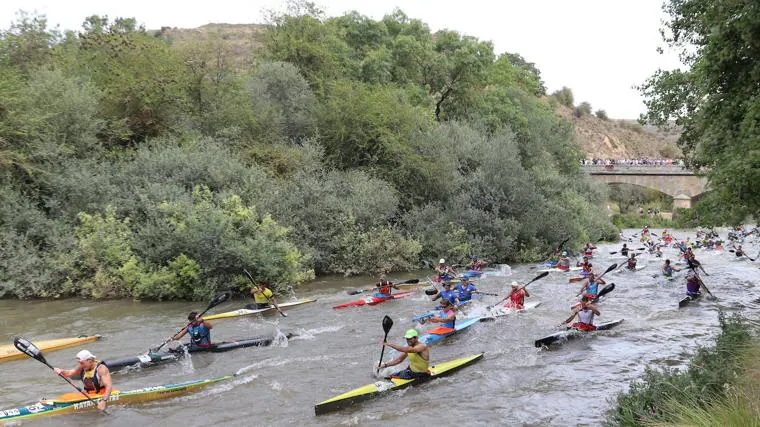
{"points": [[598, 48]]}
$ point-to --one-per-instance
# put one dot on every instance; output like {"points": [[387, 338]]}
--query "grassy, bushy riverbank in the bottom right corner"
{"points": [[720, 387]]}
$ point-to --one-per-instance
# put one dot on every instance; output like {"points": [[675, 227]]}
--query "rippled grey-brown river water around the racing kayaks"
{"points": [[335, 351]]}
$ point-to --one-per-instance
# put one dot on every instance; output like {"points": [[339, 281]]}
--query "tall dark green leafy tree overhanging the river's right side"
{"points": [[717, 100]]}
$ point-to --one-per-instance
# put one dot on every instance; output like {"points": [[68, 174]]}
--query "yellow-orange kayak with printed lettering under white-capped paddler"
{"points": [[76, 402]]}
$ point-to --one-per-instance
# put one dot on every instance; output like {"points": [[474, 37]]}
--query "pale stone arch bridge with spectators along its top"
{"points": [[675, 181]]}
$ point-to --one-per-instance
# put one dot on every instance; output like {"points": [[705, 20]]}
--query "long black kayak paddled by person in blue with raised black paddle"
{"points": [[157, 358]]}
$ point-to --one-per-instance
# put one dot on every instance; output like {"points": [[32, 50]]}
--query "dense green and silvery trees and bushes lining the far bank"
{"points": [[131, 166]]}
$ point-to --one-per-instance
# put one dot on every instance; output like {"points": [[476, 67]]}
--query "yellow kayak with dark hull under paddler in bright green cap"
{"points": [[387, 385]]}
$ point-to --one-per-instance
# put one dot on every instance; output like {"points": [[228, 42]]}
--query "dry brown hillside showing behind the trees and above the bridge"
{"points": [[605, 139]]}
